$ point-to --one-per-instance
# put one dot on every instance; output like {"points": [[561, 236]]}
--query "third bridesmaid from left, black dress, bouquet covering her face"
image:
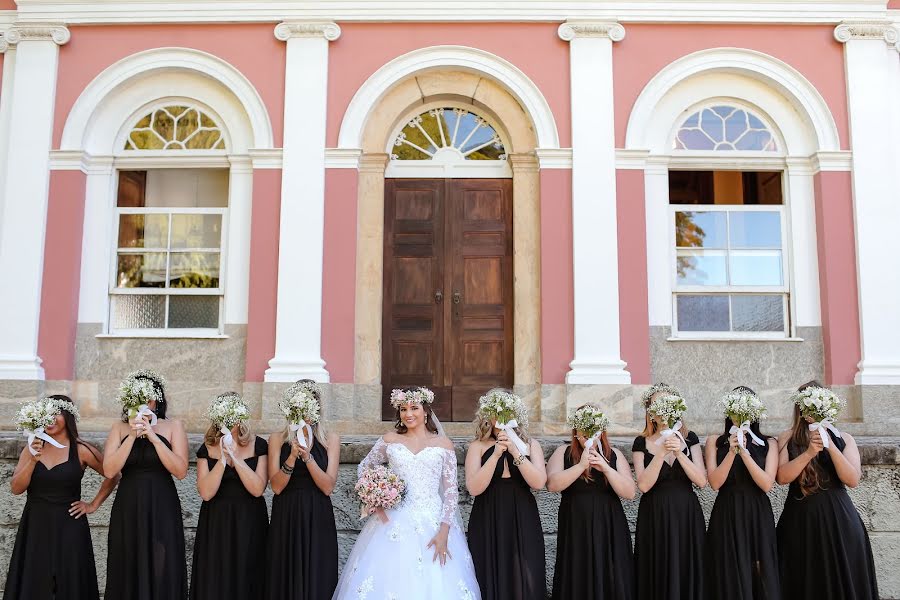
{"points": [[230, 547]]}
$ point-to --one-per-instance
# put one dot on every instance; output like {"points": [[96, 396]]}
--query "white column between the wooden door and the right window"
{"points": [[595, 232]]}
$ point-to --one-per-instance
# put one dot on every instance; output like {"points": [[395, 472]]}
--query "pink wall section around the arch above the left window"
{"points": [[250, 48]]}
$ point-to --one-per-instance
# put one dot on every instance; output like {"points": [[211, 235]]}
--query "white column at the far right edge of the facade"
{"points": [[870, 62]]}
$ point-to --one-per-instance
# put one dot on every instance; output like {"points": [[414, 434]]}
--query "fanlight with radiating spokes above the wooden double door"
{"points": [[448, 131]]}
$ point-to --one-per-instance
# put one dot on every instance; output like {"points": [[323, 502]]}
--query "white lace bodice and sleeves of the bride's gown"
{"points": [[430, 476]]}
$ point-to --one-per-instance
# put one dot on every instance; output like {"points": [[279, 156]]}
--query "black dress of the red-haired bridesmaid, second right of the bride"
{"points": [[593, 545]]}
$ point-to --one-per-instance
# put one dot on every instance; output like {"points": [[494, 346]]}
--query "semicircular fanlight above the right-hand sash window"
{"points": [[724, 128]]}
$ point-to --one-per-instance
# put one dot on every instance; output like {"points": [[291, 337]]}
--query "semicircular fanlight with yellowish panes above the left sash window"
{"points": [[176, 128]]}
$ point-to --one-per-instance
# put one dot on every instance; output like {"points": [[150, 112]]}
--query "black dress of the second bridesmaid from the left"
{"points": [[146, 533]]}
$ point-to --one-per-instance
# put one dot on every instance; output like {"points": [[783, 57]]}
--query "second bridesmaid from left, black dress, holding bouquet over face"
{"points": [[146, 534]]}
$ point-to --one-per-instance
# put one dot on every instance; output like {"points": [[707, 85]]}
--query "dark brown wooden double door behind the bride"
{"points": [[448, 290]]}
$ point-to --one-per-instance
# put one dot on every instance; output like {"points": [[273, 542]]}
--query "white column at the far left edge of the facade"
{"points": [[25, 191]]}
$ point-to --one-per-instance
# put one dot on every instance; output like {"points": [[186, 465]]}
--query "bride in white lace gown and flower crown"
{"points": [[423, 535]]}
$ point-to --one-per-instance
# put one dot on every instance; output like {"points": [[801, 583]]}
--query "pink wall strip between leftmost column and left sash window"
{"points": [[62, 274]]}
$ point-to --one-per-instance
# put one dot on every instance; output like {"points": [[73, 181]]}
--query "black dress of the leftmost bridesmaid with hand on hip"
{"points": [[53, 558]]}
